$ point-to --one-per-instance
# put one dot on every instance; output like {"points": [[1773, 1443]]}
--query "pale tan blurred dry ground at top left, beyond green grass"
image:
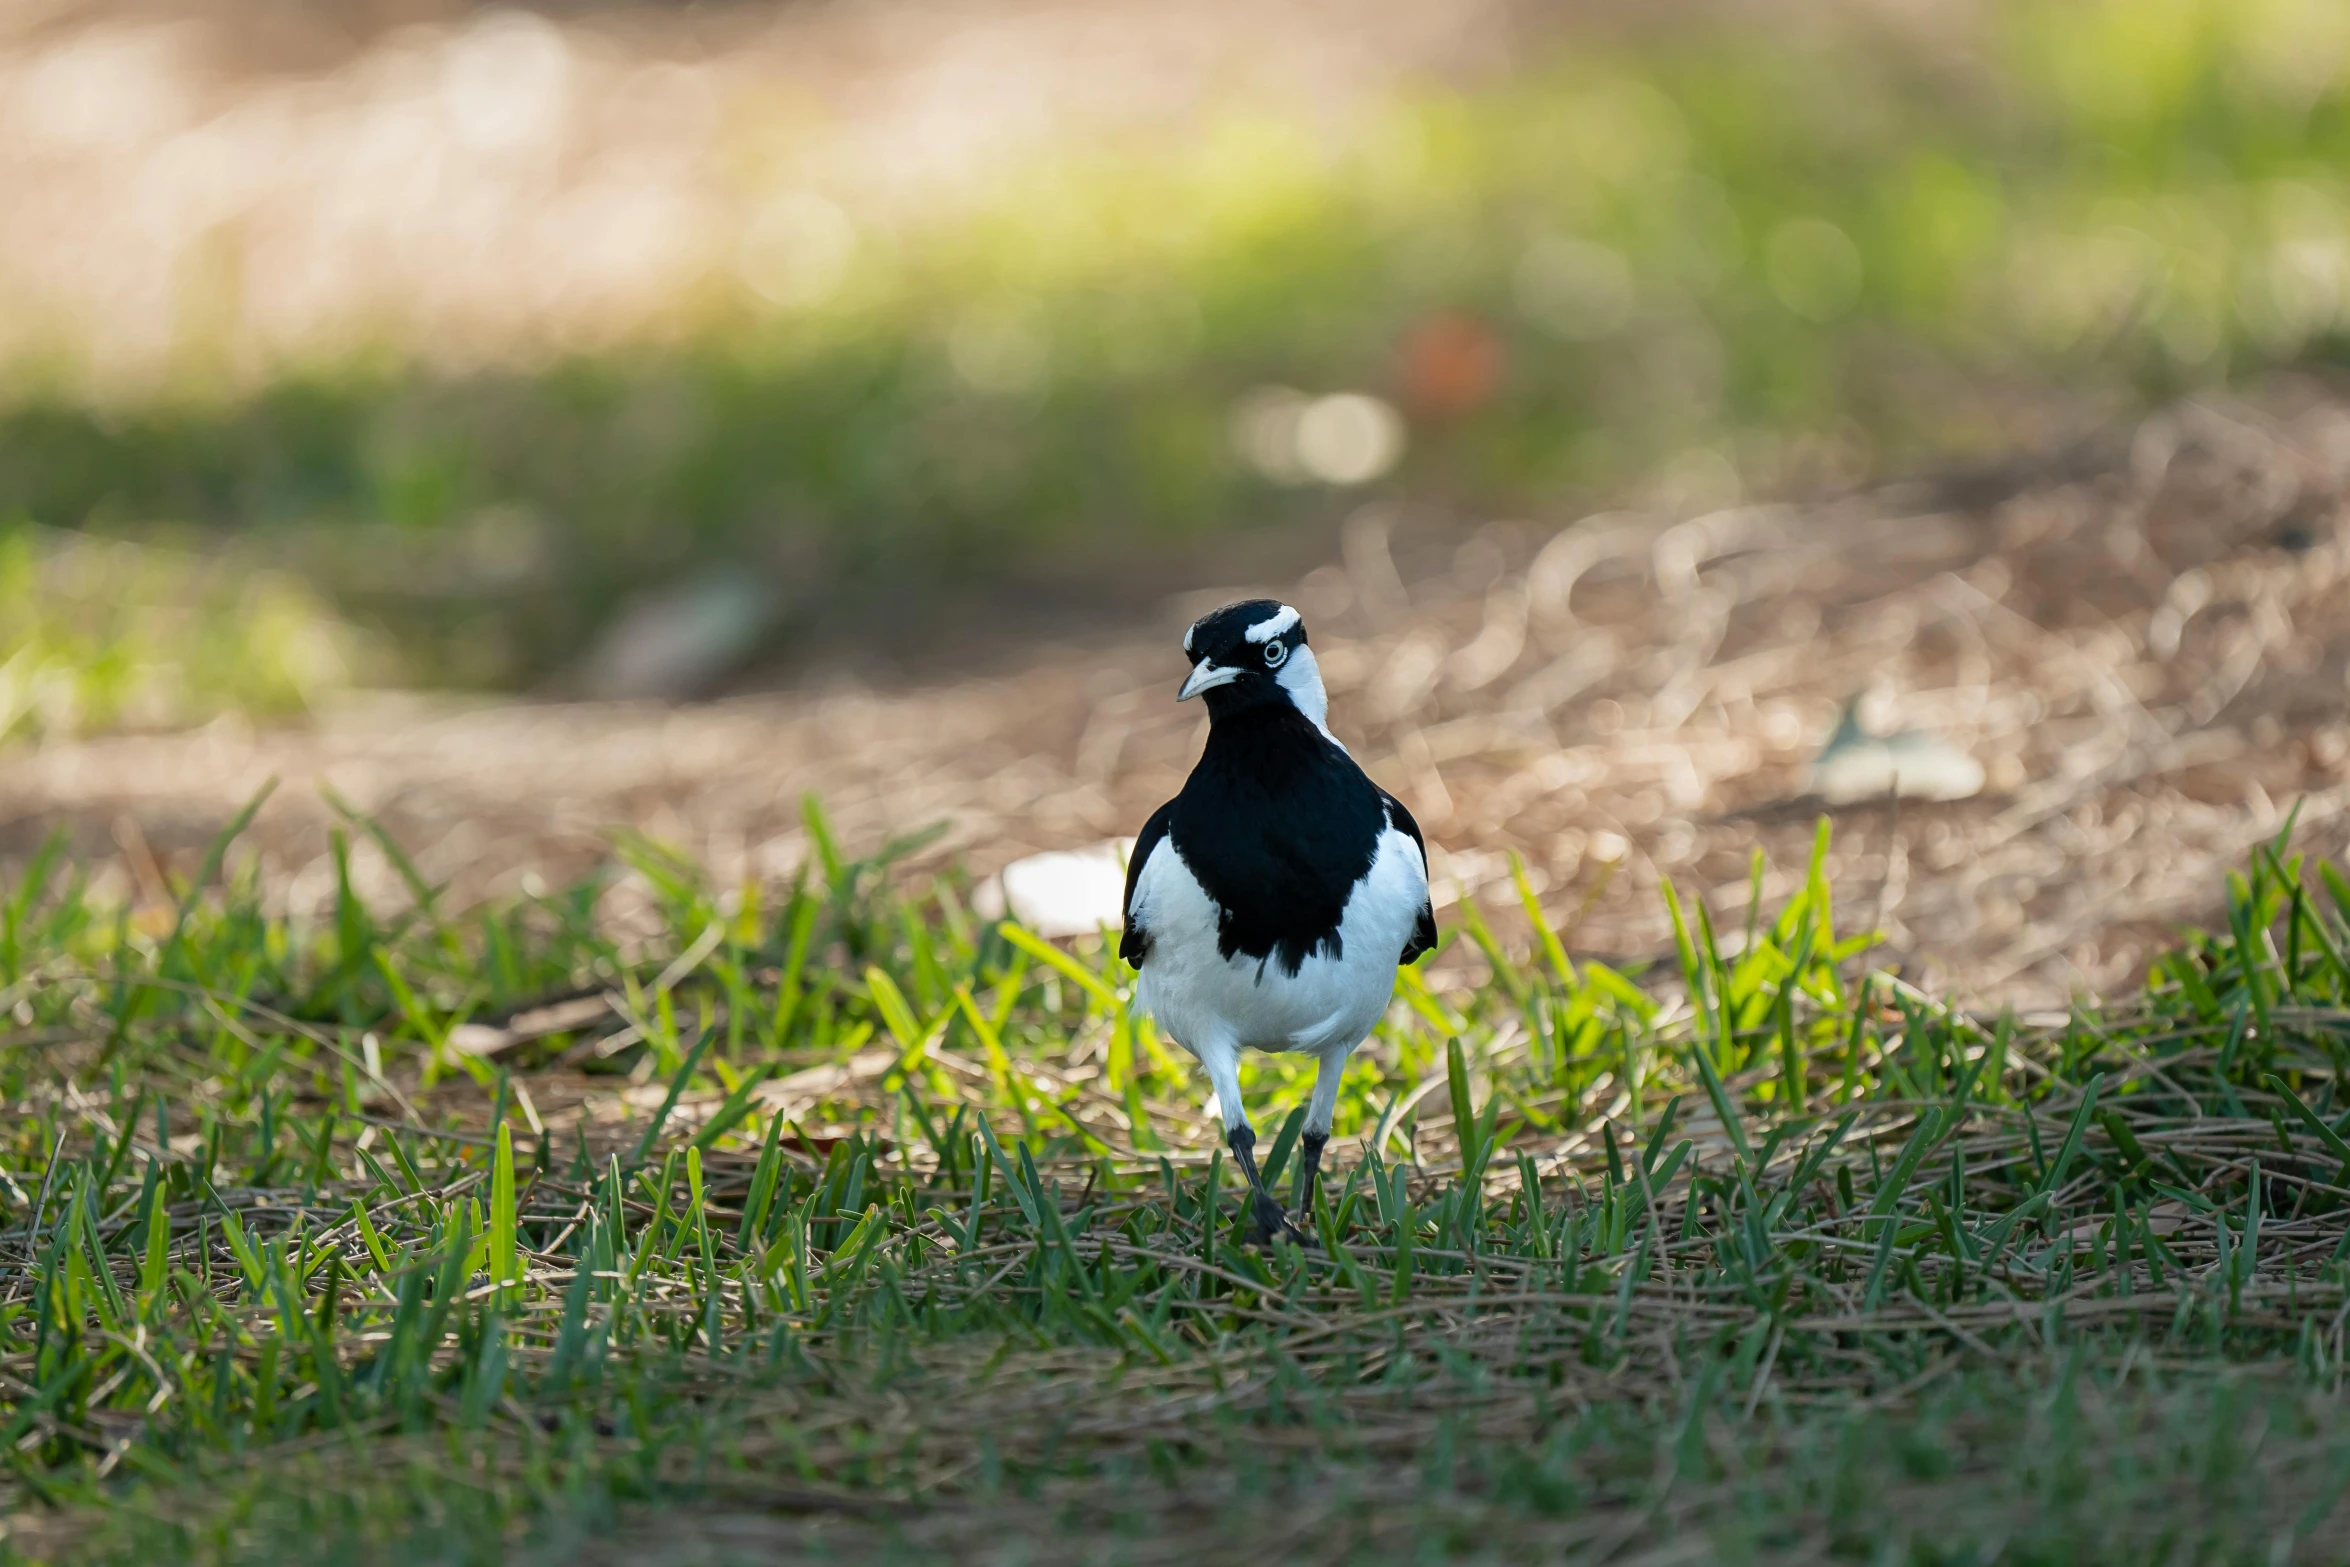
{"points": [[203, 191]]}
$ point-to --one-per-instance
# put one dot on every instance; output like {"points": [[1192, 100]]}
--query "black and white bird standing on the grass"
{"points": [[1270, 903]]}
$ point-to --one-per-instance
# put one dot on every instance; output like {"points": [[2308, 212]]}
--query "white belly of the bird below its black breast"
{"points": [[1214, 1004]]}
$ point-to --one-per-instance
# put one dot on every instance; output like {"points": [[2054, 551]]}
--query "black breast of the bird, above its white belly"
{"points": [[1277, 826]]}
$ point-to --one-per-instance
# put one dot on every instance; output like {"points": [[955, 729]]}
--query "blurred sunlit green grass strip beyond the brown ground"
{"points": [[1658, 269]]}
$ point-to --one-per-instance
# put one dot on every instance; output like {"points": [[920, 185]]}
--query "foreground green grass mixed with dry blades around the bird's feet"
{"points": [[918, 1216]]}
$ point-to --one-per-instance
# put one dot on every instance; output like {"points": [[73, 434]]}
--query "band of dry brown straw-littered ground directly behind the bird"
{"points": [[2147, 652]]}
